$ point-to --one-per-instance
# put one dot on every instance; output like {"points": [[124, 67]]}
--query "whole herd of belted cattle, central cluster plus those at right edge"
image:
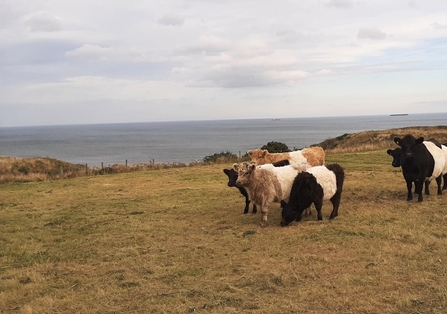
{"points": [[300, 178]]}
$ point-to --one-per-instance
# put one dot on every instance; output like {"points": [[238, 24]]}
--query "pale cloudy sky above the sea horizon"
{"points": [[82, 62]]}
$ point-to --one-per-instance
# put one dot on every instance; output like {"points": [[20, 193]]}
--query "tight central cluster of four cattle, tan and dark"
{"points": [[296, 179]]}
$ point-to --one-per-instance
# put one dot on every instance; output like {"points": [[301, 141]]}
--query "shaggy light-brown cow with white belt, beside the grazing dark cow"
{"points": [[266, 184]]}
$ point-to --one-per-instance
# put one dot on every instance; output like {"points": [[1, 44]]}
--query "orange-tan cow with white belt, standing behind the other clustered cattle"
{"points": [[313, 156]]}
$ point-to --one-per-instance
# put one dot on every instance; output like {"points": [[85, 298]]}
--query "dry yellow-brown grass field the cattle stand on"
{"points": [[175, 241]]}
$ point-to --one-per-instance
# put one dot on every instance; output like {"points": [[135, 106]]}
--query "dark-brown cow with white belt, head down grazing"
{"points": [[313, 186]]}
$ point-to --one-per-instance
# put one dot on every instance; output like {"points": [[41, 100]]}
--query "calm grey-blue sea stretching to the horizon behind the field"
{"points": [[188, 141]]}
